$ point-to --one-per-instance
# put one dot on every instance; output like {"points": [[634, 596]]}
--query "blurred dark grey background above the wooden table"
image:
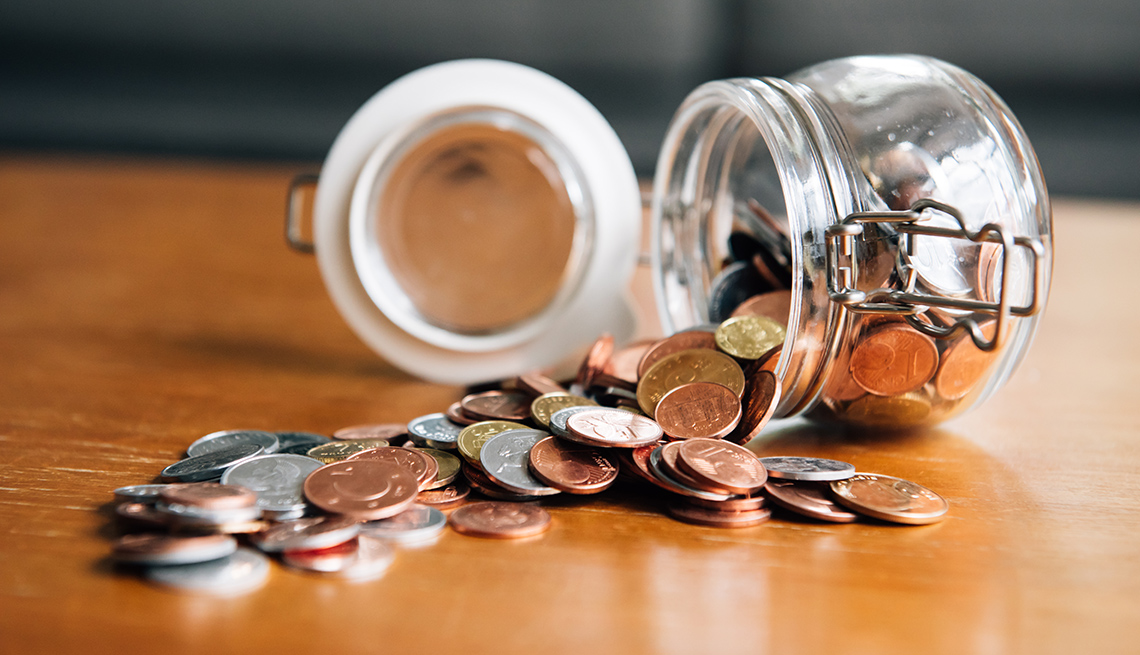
{"points": [[276, 79]]}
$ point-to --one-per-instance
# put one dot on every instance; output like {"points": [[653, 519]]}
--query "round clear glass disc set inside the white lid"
{"points": [[474, 223]]}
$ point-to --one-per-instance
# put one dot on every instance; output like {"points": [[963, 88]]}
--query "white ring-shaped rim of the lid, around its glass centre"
{"points": [[606, 184]]}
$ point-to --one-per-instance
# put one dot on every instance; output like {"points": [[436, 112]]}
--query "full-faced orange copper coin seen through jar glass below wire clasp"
{"points": [[894, 359]]}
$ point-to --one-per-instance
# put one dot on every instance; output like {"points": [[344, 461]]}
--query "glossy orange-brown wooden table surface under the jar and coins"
{"points": [[145, 304]]}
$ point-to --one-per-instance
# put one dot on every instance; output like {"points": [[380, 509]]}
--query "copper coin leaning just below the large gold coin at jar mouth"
{"points": [[699, 411]]}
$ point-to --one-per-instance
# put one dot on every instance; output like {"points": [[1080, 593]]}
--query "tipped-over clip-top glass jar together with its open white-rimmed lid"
{"points": [[479, 219]]}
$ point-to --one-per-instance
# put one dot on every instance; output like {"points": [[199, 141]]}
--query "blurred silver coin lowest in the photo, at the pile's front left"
{"points": [[243, 571]]}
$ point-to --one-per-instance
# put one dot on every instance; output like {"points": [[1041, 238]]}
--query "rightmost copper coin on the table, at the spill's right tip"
{"points": [[891, 500]]}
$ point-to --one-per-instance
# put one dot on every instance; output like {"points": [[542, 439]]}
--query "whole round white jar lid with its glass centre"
{"points": [[478, 219]]}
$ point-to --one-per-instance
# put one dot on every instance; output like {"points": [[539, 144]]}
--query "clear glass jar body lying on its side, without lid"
{"points": [[891, 208]]}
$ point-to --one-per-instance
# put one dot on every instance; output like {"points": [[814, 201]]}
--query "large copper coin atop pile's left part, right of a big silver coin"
{"points": [[362, 489]]}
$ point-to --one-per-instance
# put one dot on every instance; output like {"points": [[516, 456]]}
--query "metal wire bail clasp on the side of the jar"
{"points": [[843, 272]]}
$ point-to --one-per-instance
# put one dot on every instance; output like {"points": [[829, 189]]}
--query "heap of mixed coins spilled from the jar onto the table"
{"points": [[671, 415]]}
